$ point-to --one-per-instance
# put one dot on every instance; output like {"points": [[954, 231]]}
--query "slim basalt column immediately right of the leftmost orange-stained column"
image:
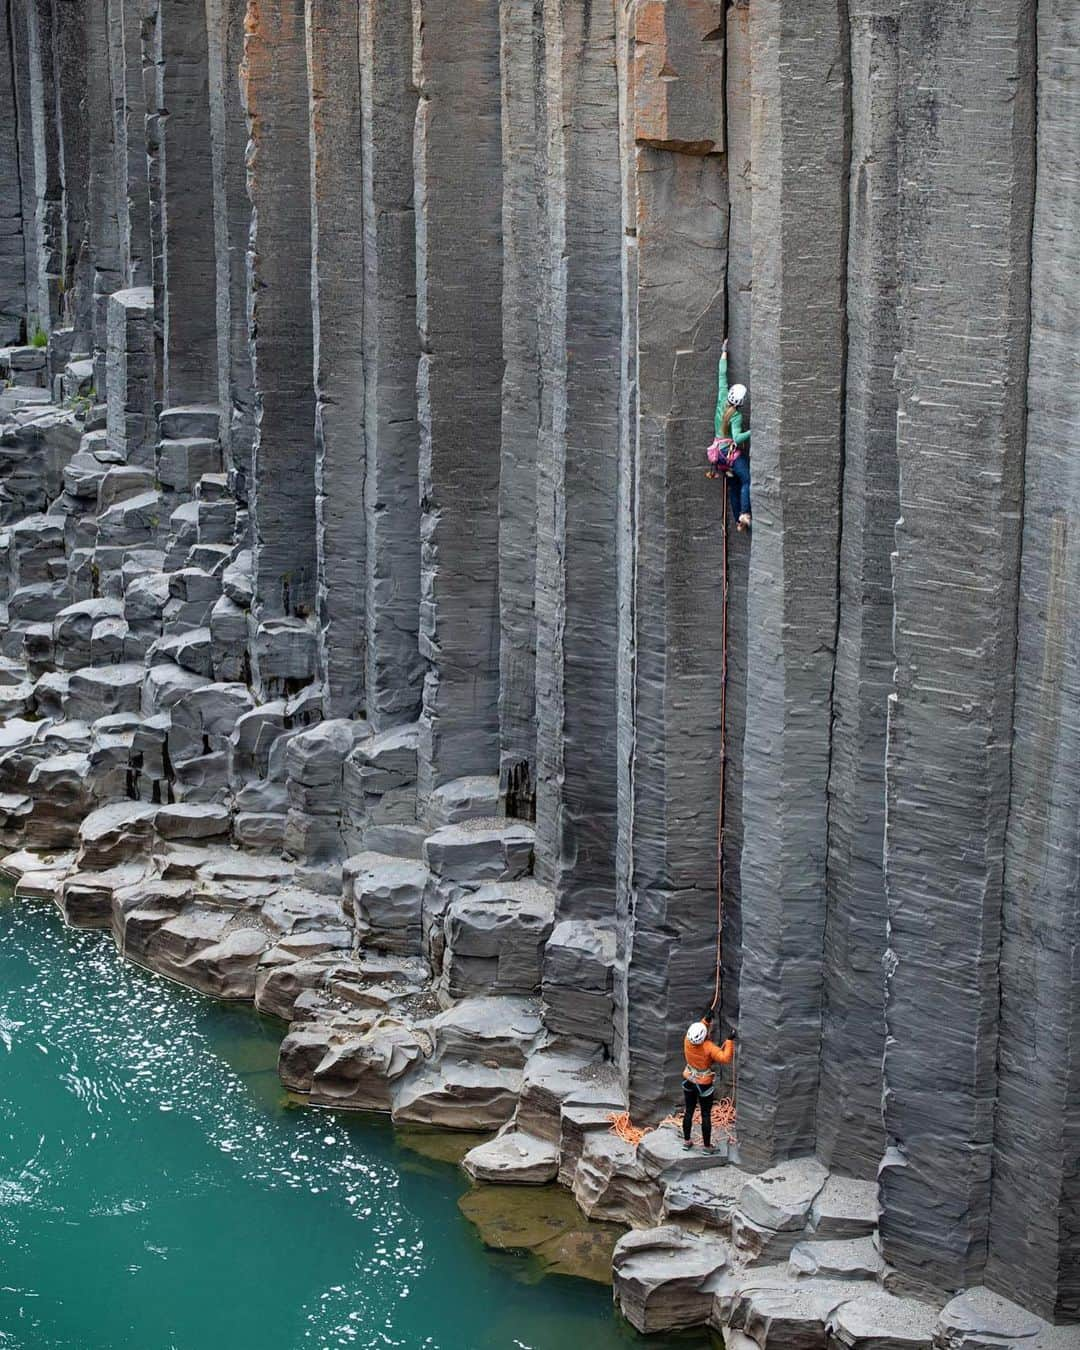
{"points": [[337, 190]]}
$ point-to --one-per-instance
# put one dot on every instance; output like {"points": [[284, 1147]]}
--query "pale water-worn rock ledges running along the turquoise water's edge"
{"points": [[781, 1262]]}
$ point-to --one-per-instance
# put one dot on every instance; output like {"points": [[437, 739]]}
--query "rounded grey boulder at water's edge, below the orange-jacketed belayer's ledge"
{"points": [[665, 1278]]}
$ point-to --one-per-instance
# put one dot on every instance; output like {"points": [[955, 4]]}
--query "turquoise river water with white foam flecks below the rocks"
{"points": [[159, 1193]]}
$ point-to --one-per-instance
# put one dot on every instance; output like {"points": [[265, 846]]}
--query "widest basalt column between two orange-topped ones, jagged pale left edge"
{"points": [[460, 283]]}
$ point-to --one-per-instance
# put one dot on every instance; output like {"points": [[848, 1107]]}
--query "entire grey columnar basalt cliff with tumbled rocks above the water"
{"points": [[364, 597]]}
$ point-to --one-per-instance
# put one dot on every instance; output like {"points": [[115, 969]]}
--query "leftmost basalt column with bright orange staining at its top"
{"points": [[280, 314]]}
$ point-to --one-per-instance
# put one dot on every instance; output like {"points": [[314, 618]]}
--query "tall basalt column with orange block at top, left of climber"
{"points": [[677, 294]]}
